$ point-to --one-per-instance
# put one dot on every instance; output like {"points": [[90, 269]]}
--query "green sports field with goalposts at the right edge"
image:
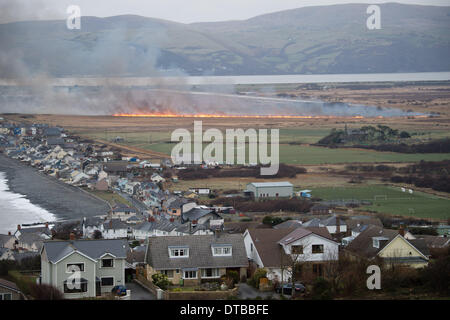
{"points": [[387, 199]]}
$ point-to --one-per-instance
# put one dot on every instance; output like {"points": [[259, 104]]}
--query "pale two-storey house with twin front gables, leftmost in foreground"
{"points": [[84, 268]]}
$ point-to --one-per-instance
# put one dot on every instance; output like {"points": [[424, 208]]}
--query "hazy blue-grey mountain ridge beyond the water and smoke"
{"points": [[309, 40]]}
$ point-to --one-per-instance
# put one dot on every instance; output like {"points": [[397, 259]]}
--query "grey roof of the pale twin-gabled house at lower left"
{"points": [[56, 250]]}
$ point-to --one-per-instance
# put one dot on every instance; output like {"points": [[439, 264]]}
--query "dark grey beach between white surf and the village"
{"points": [[64, 201]]}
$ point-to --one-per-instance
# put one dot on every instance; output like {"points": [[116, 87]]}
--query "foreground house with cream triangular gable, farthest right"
{"points": [[389, 245]]}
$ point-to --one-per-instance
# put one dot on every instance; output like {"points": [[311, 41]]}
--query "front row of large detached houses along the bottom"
{"points": [[189, 260]]}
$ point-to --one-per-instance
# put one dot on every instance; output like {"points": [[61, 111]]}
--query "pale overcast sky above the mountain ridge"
{"points": [[176, 10]]}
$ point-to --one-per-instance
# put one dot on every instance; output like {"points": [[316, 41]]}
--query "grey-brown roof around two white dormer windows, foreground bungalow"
{"points": [[200, 252]]}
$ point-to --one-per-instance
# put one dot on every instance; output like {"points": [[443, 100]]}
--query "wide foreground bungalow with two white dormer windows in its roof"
{"points": [[188, 260]]}
